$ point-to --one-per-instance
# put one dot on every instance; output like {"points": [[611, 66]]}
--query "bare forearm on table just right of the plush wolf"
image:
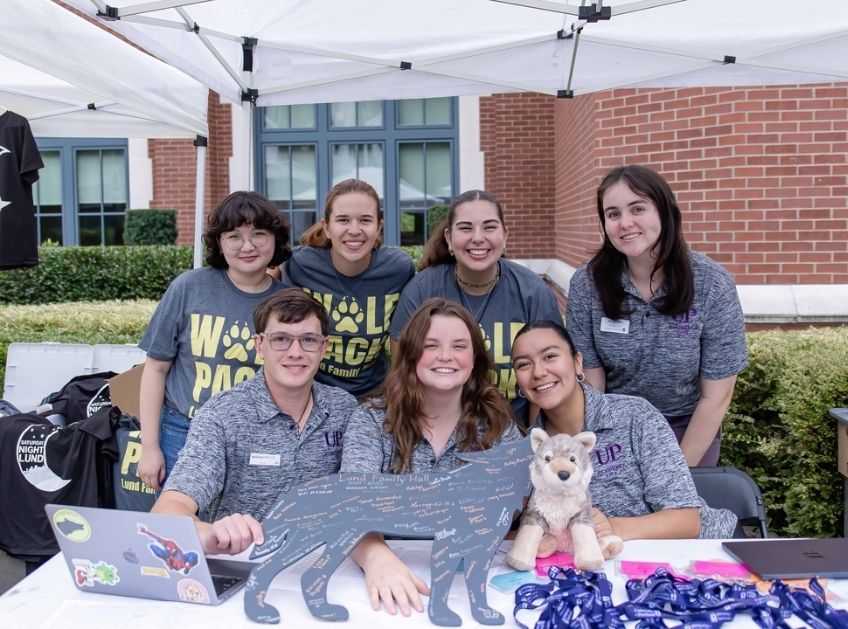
{"points": [[665, 524]]}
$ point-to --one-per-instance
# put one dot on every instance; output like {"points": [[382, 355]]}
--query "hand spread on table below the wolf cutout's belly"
{"points": [[387, 578]]}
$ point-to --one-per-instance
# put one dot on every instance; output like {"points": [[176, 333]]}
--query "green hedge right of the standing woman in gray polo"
{"points": [[778, 429]]}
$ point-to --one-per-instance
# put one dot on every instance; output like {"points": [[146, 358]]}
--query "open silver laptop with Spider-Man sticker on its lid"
{"points": [[145, 555]]}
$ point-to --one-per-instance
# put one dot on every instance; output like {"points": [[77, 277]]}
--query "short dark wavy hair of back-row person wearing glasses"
{"points": [[245, 208]]}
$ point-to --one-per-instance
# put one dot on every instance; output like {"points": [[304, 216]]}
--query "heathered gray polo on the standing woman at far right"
{"points": [[655, 356]]}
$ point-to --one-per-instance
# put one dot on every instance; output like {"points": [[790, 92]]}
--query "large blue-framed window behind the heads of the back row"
{"points": [[406, 149]]}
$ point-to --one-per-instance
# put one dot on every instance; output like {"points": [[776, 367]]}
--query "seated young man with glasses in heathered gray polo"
{"points": [[250, 444]]}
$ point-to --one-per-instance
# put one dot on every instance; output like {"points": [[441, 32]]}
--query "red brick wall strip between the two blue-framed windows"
{"points": [[175, 170]]}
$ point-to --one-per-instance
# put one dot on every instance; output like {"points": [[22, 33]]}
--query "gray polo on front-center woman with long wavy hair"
{"points": [[369, 449]]}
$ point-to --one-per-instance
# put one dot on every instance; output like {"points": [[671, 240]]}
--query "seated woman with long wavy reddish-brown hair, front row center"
{"points": [[437, 401]]}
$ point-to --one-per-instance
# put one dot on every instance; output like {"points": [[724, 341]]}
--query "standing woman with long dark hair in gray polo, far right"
{"points": [[655, 319]]}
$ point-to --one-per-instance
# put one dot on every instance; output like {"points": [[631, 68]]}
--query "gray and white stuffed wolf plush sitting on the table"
{"points": [[559, 514]]}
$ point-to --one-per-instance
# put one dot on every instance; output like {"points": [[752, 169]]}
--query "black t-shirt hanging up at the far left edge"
{"points": [[19, 164]]}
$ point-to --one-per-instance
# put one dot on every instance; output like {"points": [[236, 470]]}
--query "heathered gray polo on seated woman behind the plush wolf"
{"points": [[639, 468]]}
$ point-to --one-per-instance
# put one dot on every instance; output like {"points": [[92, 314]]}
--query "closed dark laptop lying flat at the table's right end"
{"points": [[793, 558]]}
